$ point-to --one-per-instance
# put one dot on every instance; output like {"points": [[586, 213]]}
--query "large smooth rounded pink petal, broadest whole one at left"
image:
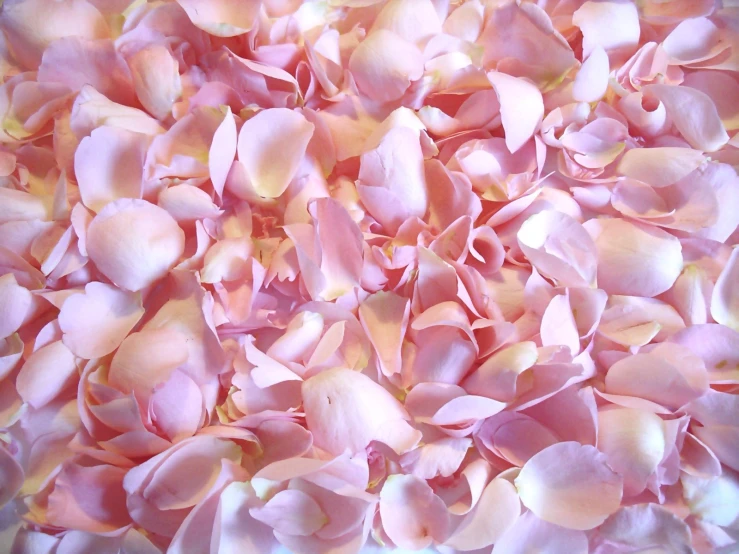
{"points": [[134, 243]]}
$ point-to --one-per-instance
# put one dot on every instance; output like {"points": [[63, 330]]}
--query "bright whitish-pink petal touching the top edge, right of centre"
{"points": [[611, 25]]}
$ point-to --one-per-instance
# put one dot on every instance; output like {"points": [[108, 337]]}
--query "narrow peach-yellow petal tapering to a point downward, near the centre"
{"points": [[384, 316]]}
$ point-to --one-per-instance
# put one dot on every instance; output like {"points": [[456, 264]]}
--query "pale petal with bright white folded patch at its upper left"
{"points": [[559, 247]]}
